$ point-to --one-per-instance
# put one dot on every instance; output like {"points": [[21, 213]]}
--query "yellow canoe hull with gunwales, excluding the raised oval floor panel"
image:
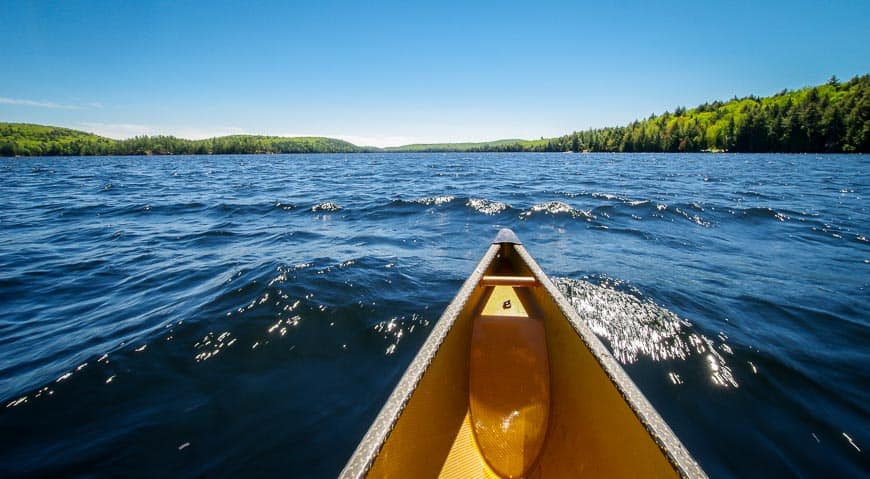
{"points": [[597, 423]]}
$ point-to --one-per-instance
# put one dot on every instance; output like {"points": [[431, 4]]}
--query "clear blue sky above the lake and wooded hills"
{"points": [[391, 73]]}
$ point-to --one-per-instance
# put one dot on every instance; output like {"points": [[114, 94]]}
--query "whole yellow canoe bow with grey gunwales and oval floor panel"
{"points": [[512, 383]]}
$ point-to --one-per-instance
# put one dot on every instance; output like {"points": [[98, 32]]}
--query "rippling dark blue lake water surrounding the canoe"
{"points": [[249, 315]]}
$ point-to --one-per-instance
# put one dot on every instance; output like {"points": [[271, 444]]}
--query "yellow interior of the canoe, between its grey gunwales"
{"points": [[578, 425]]}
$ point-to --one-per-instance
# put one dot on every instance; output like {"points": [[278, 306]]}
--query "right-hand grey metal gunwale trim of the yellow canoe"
{"points": [[661, 433]]}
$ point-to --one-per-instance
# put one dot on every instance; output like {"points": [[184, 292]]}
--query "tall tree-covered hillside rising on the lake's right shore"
{"points": [[830, 118]]}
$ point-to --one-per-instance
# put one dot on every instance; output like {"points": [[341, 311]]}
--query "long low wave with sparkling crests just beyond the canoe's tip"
{"points": [[605, 209]]}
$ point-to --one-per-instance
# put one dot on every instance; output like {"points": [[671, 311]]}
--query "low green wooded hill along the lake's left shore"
{"points": [[36, 140]]}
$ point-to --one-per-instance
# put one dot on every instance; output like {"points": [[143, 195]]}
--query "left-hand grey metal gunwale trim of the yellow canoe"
{"points": [[369, 447]]}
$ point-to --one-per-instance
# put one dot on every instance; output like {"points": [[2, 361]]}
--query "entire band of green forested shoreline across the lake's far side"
{"points": [[829, 118]]}
